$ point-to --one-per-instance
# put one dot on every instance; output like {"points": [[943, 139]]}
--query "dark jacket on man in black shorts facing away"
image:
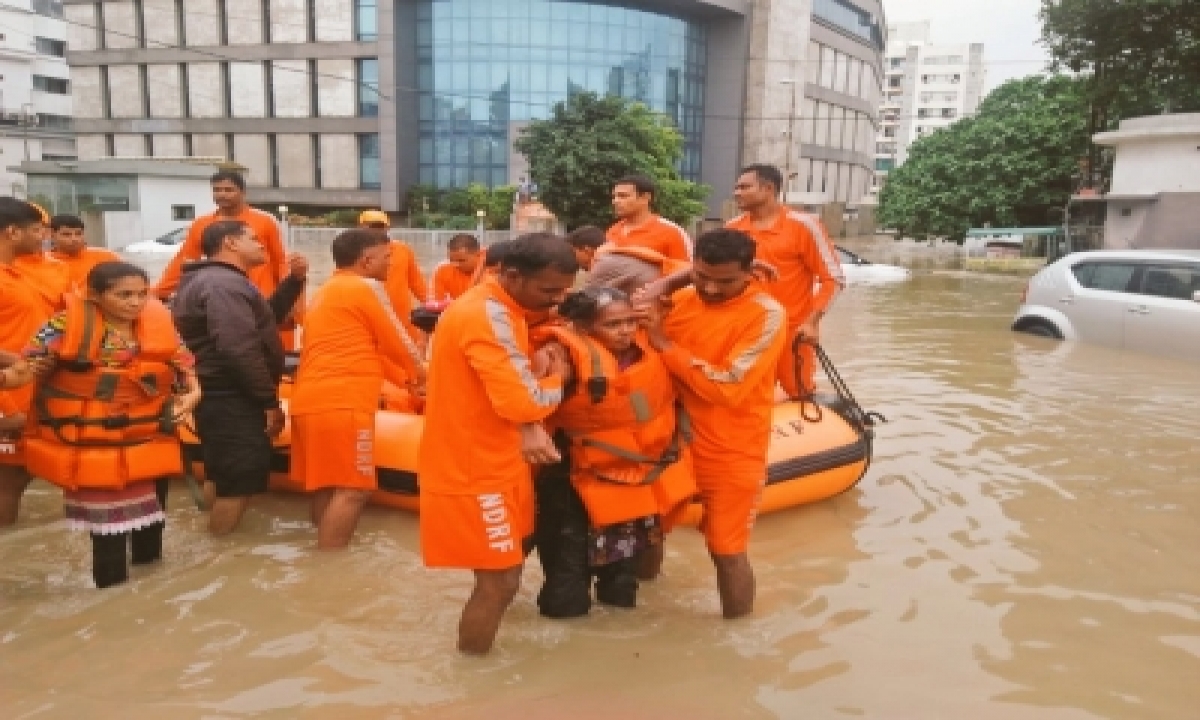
{"points": [[232, 329]]}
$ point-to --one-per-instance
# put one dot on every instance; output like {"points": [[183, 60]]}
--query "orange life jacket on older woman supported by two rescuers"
{"points": [[628, 439]]}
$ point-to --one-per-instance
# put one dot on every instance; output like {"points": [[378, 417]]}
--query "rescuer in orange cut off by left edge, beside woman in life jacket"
{"points": [[33, 287]]}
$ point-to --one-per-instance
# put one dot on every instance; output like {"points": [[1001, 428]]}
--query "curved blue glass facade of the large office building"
{"points": [[487, 68]]}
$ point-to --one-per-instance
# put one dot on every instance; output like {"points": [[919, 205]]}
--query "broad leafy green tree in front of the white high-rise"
{"points": [[1011, 165]]}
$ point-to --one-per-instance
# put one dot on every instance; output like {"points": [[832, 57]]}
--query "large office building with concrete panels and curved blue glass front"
{"points": [[350, 103]]}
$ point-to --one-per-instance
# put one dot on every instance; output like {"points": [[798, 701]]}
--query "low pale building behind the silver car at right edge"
{"points": [[1155, 195]]}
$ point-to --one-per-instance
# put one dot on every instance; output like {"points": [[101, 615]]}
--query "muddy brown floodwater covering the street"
{"points": [[1024, 547]]}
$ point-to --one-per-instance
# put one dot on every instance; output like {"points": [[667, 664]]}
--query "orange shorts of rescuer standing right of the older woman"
{"points": [[731, 507]]}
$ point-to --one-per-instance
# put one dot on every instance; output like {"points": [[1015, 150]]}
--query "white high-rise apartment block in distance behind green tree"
{"points": [[927, 88]]}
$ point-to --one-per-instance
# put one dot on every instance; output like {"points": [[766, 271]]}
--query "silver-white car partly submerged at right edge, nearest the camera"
{"points": [[1147, 301]]}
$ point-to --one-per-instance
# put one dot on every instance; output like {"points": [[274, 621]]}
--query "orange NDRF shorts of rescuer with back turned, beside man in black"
{"points": [[334, 449]]}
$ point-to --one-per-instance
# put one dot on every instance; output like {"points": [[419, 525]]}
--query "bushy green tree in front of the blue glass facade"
{"points": [[591, 141]]}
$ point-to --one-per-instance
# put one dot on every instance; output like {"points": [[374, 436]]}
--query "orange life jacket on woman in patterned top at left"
{"points": [[104, 429]]}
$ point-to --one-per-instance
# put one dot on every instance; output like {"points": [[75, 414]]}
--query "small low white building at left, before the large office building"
{"points": [[124, 201]]}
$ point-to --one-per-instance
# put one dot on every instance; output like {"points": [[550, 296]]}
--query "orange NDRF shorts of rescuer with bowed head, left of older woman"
{"points": [[488, 531]]}
